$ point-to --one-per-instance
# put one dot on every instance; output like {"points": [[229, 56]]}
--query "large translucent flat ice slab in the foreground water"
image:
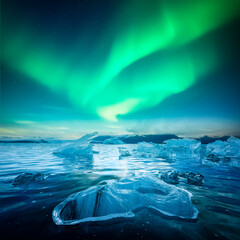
{"points": [[122, 199]]}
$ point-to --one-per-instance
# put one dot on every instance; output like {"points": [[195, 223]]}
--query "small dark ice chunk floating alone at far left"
{"points": [[27, 178]]}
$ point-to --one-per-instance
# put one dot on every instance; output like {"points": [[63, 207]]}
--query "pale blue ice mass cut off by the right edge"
{"points": [[223, 153]]}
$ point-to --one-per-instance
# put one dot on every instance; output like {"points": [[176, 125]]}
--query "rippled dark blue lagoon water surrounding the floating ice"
{"points": [[26, 211]]}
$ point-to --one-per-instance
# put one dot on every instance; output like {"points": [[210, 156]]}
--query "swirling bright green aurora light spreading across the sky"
{"points": [[149, 56]]}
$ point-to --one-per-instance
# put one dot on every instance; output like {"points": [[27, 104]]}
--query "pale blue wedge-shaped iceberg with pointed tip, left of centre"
{"points": [[79, 148]]}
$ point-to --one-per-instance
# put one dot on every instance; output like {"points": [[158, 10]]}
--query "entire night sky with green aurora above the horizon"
{"points": [[122, 66]]}
